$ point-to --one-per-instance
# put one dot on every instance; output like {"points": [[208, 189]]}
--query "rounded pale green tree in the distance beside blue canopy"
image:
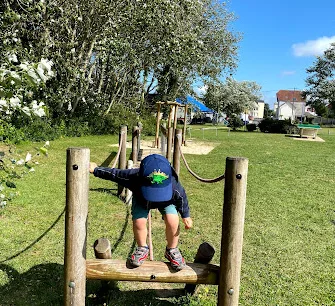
{"points": [[232, 97]]}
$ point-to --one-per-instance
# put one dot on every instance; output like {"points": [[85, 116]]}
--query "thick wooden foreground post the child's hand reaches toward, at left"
{"points": [[77, 184]]}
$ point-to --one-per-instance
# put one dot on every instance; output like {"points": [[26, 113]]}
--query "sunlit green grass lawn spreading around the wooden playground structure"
{"points": [[288, 251]]}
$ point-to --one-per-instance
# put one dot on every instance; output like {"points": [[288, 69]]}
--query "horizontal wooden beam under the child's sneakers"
{"points": [[151, 271]]}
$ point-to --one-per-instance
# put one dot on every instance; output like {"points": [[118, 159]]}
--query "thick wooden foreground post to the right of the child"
{"points": [[235, 189]]}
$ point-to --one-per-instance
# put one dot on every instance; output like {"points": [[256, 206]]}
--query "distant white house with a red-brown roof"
{"points": [[292, 105]]}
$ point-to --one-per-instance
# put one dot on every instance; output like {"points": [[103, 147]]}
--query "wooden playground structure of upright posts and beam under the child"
{"points": [[77, 268]]}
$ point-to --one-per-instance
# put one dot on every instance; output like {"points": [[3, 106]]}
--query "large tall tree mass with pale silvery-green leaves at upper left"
{"points": [[114, 53]]}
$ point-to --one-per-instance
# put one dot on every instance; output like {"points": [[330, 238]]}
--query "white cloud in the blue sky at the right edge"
{"points": [[313, 47]]}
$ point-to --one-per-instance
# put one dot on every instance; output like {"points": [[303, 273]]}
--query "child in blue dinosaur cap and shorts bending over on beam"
{"points": [[154, 185]]}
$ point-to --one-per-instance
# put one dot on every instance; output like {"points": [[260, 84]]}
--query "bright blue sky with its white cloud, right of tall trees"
{"points": [[280, 40]]}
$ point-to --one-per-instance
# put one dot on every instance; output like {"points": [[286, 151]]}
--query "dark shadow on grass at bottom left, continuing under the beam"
{"points": [[43, 285]]}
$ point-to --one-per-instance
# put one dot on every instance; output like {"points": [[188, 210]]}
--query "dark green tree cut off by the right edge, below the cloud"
{"points": [[321, 82]]}
